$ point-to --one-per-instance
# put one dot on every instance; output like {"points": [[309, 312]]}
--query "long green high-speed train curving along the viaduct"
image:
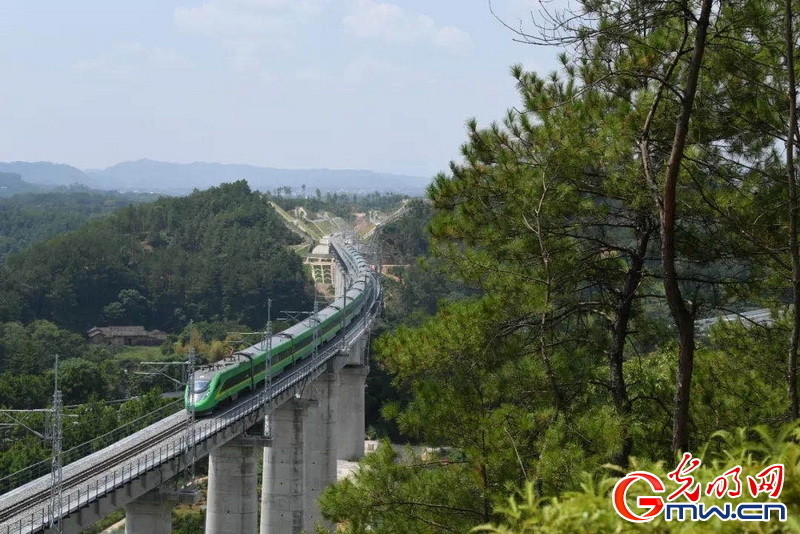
{"points": [[245, 370]]}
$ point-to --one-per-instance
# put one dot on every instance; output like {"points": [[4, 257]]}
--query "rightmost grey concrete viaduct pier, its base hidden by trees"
{"points": [[352, 412]]}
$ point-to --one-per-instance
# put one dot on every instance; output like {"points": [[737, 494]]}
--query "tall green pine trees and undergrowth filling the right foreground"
{"points": [[648, 183]]}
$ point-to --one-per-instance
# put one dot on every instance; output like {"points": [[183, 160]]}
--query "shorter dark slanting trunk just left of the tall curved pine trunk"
{"points": [[619, 391]]}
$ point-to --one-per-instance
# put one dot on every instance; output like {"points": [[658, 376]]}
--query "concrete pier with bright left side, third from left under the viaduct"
{"points": [[284, 470]]}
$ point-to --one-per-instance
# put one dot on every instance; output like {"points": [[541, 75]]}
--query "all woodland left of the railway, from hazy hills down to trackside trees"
{"points": [[213, 257]]}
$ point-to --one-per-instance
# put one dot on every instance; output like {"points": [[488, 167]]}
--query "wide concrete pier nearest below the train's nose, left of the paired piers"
{"points": [[232, 489]]}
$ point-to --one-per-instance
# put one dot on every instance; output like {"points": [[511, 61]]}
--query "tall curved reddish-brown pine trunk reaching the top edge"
{"points": [[681, 313]]}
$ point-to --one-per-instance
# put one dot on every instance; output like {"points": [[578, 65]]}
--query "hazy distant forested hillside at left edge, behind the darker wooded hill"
{"points": [[30, 217]]}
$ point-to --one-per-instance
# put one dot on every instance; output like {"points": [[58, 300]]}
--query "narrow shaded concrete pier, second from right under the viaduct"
{"points": [[320, 447]]}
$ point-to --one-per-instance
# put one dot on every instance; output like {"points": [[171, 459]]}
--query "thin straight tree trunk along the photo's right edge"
{"points": [[791, 372]]}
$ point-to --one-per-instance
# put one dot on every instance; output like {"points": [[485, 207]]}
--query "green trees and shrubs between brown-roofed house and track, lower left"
{"points": [[103, 389]]}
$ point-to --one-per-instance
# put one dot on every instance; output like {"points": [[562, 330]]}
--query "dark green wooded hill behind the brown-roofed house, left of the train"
{"points": [[217, 254]]}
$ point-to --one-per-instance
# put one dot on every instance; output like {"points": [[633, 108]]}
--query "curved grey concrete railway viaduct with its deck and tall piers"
{"points": [[315, 414]]}
